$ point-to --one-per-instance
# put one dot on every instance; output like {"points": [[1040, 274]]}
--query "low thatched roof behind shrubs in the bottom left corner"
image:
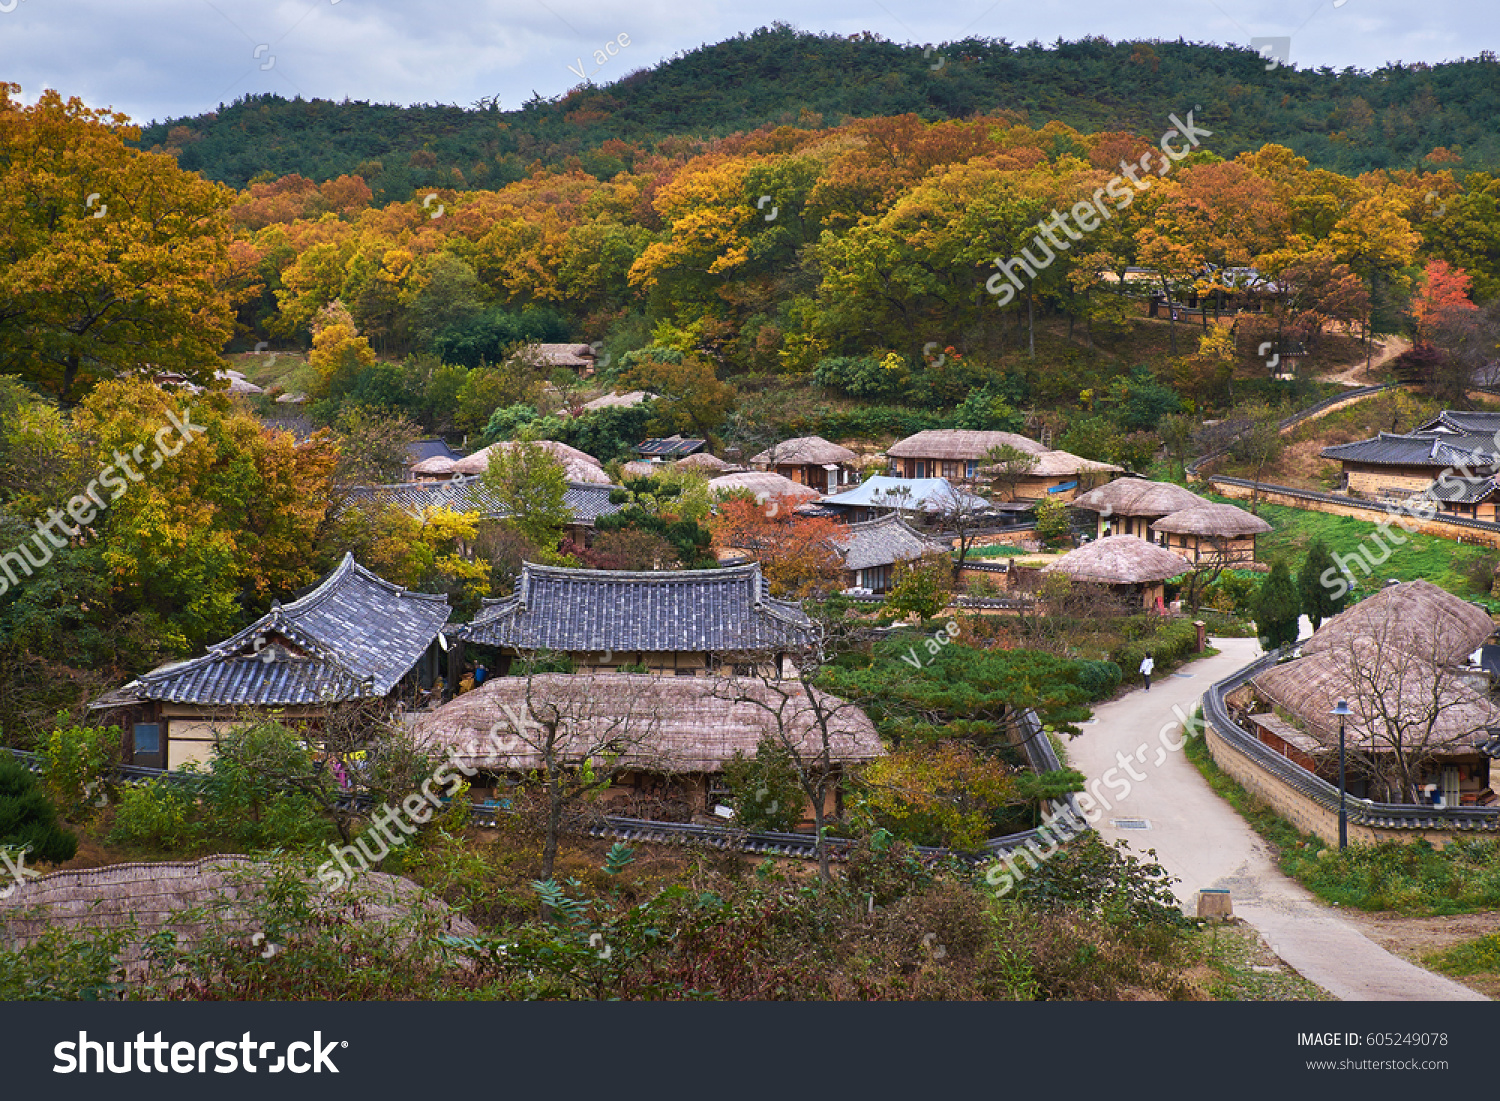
{"points": [[193, 898]]}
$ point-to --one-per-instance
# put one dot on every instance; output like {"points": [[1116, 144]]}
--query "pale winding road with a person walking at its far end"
{"points": [[1205, 844]]}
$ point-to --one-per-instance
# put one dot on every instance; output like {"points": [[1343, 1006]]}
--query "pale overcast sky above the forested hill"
{"points": [[157, 59]]}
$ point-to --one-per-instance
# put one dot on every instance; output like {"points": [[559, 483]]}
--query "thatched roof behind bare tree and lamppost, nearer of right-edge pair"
{"points": [[1390, 695]]}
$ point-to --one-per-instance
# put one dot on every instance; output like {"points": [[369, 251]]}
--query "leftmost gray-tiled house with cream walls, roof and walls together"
{"points": [[355, 637]]}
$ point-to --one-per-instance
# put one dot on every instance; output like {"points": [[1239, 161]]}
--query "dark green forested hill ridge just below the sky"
{"points": [[1349, 121]]}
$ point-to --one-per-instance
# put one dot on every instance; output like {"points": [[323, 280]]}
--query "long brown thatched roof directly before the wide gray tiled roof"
{"points": [[659, 724]]}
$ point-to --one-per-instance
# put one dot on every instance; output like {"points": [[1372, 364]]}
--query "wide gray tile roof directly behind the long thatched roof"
{"points": [[697, 611]]}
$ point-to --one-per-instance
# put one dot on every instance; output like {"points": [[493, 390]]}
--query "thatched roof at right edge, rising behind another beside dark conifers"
{"points": [[1415, 617]]}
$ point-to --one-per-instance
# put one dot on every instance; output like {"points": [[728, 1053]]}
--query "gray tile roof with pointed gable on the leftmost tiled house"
{"points": [[353, 637]]}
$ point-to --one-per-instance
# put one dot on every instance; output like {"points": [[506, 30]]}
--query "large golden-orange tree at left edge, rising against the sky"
{"points": [[112, 260]]}
